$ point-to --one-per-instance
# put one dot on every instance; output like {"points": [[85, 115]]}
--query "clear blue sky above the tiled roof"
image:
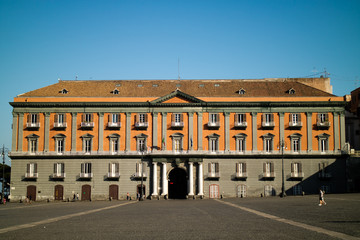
{"points": [[42, 41]]}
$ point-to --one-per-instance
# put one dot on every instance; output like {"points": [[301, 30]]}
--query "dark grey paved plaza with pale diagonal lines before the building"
{"points": [[233, 218]]}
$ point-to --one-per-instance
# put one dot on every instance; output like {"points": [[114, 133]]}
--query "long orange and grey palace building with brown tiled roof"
{"points": [[178, 139]]}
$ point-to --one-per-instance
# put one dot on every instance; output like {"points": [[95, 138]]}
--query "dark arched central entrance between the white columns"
{"points": [[177, 183]]}
